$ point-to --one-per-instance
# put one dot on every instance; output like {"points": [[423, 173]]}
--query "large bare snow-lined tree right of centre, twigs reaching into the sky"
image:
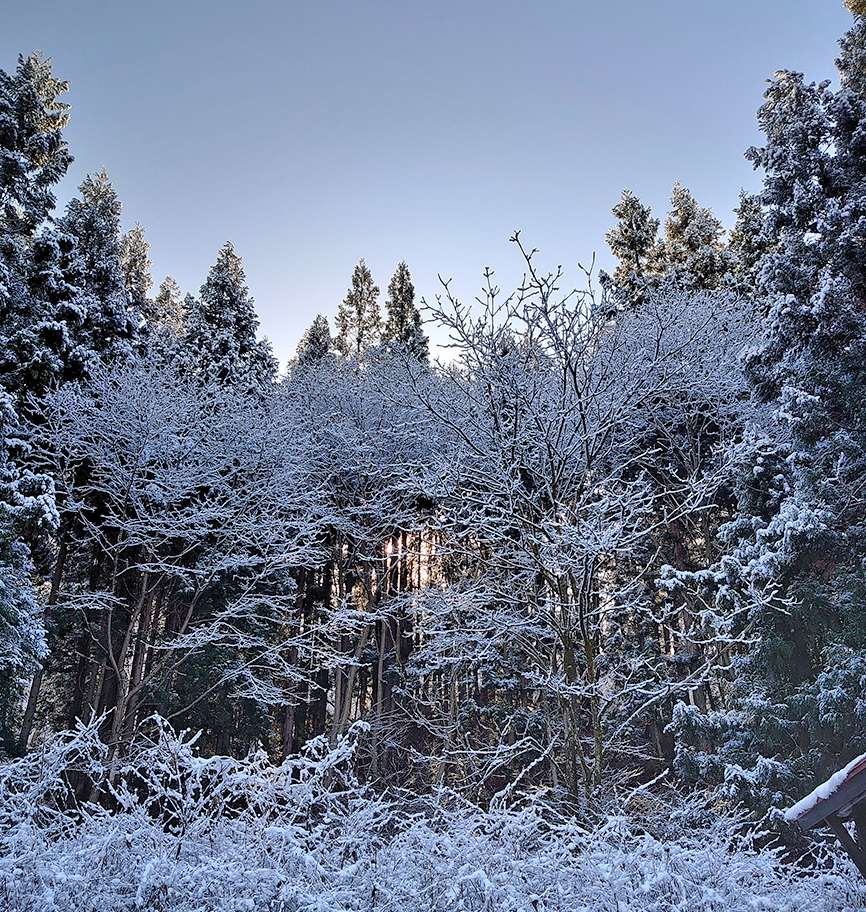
{"points": [[547, 497]]}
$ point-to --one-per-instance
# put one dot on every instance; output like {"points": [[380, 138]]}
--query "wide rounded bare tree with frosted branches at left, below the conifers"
{"points": [[183, 513]]}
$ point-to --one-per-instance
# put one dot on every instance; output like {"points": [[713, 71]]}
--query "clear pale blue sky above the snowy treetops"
{"points": [[313, 134]]}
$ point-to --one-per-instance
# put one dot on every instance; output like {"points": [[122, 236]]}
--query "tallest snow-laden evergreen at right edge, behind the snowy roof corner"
{"points": [[795, 568]]}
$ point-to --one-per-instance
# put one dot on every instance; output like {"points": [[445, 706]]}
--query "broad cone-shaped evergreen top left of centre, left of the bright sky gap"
{"points": [[220, 338]]}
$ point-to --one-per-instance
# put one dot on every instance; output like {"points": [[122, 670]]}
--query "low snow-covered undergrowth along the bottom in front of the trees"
{"points": [[190, 833]]}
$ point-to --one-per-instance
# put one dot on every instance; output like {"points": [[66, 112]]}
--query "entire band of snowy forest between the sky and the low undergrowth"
{"points": [[614, 541]]}
